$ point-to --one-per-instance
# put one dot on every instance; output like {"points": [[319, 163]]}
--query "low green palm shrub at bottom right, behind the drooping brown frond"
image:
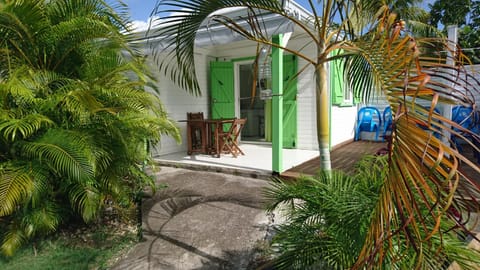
{"points": [[327, 221]]}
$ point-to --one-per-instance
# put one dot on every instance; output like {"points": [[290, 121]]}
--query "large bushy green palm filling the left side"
{"points": [[74, 116]]}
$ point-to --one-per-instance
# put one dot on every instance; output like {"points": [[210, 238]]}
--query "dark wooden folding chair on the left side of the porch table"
{"points": [[196, 135]]}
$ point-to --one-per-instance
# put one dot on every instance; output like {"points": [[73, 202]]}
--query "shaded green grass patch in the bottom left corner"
{"points": [[86, 248]]}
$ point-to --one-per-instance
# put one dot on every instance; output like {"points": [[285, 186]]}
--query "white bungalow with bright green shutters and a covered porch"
{"points": [[224, 70]]}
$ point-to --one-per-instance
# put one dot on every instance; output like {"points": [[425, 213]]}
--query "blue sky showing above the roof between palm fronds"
{"points": [[140, 10]]}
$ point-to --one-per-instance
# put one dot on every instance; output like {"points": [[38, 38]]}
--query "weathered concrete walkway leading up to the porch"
{"points": [[203, 220]]}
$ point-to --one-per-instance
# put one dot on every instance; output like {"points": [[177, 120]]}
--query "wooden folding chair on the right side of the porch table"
{"points": [[229, 139]]}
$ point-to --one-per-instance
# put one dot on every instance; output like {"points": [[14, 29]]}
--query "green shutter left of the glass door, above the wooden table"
{"points": [[222, 102]]}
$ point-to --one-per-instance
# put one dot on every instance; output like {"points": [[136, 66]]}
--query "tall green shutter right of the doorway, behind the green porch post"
{"points": [[289, 101]]}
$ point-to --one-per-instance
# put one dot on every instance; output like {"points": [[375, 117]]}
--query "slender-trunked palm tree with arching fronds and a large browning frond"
{"points": [[380, 57]]}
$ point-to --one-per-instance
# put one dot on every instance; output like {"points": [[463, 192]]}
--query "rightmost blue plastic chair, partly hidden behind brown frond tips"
{"points": [[468, 119]]}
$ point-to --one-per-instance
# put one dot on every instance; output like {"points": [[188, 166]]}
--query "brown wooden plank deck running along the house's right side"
{"points": [[343, 158]]}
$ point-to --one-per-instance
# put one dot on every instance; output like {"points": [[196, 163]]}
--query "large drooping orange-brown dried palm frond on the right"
{"points": [[423, 168]]}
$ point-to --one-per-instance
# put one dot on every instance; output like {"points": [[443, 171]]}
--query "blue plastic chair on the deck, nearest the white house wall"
{"points": [[368, 122]]}
